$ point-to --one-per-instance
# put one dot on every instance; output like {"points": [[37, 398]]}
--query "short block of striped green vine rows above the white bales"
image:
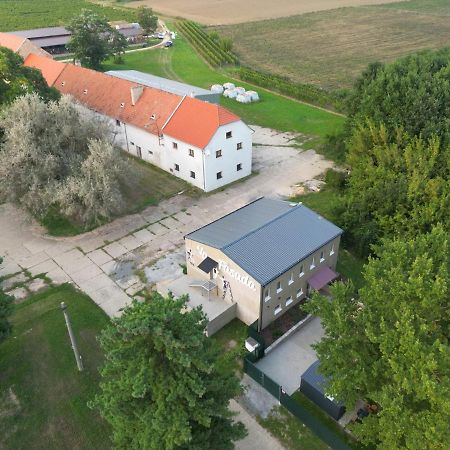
{"points": [[207, 47]]}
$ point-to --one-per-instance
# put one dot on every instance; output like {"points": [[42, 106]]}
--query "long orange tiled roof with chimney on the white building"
{"points": [[188, 119]]}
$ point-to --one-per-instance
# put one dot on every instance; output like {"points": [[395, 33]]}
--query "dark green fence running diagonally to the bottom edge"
{"points": [[323, 432]]}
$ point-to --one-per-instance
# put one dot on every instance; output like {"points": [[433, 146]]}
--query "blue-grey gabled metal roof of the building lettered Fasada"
{"points": [[267, 237]]}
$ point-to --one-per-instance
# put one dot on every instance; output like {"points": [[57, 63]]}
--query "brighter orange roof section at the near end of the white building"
{"points": [[196, 121]]}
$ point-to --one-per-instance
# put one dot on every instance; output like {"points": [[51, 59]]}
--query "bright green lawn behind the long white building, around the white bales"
{"points": [[182, 63]]}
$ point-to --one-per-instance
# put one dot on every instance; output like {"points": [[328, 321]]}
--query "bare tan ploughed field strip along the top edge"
{"points": [[221, 12]]}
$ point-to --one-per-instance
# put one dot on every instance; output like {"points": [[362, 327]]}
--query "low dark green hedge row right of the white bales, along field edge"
{"points": [[304, 92]]}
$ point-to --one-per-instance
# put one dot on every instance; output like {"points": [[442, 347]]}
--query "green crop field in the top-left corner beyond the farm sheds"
{"points": [[25, 14]]}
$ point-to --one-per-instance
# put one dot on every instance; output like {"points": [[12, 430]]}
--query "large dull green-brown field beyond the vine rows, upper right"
{"points": [[331, 48]]}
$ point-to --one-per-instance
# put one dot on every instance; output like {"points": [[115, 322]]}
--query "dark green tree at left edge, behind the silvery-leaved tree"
{"points": [[16, 79]]}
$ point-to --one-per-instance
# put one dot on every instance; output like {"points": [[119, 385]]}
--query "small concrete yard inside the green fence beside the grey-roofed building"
{"points": [[286, 362]]}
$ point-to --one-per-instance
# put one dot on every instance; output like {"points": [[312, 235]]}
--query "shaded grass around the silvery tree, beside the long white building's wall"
{"points": [[147, 186]]}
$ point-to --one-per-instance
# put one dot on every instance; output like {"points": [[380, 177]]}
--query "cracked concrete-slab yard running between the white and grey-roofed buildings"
{"points": [[111, 263]]}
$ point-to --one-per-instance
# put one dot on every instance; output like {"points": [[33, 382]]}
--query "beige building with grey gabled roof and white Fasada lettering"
{"points": [[269, 255]]}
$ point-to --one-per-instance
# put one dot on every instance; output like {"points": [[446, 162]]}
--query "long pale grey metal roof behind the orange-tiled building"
{"points": [[164, 84]]}
